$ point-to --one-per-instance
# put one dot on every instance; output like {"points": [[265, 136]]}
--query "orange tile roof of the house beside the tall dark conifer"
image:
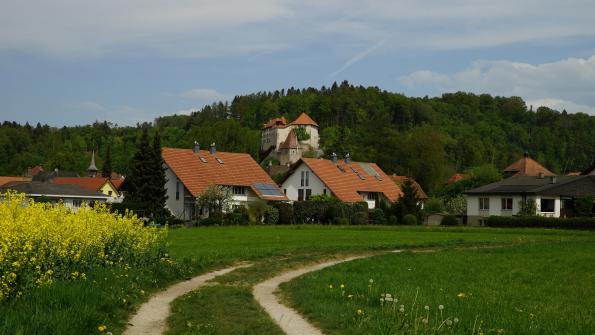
{"points": [[238, 169]]}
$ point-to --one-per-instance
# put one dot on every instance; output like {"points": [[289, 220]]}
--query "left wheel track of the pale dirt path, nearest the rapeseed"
{"points": [[152, 315]]}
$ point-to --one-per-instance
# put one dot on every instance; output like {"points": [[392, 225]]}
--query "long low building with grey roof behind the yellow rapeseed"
{"points": [[72, 196]]}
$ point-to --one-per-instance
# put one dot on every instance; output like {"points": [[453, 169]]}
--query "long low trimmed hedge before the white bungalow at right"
{"points": [[541, 222]]}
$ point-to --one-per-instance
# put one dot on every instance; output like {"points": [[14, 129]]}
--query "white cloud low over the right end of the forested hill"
{"points": [[567, 84]]}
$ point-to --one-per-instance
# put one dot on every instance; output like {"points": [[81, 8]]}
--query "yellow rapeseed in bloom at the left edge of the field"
{"points": [[41, 242]]}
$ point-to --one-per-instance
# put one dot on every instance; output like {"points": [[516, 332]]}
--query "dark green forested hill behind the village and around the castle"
{"points": [[428, 138]]}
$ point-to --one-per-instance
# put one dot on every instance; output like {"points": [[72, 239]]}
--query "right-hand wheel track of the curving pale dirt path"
{"points": [[287, 318]]}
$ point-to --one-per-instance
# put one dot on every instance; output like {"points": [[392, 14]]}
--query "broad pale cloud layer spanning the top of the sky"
{"points": [[213, 28]]}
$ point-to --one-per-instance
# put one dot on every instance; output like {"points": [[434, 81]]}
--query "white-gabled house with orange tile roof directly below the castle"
{"points": [[347, 180]]}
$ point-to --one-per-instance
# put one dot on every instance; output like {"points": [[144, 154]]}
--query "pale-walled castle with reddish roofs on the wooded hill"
{"points": [[287, 142]]}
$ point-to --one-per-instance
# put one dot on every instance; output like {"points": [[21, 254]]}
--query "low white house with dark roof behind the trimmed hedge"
{"points": [[553, 196]]}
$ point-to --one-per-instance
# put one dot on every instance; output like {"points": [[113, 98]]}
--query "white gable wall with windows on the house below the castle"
{"points": [[302, 184]]}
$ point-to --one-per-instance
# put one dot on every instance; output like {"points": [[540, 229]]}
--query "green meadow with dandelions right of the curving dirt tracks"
{"points": [[533, 288]]}
